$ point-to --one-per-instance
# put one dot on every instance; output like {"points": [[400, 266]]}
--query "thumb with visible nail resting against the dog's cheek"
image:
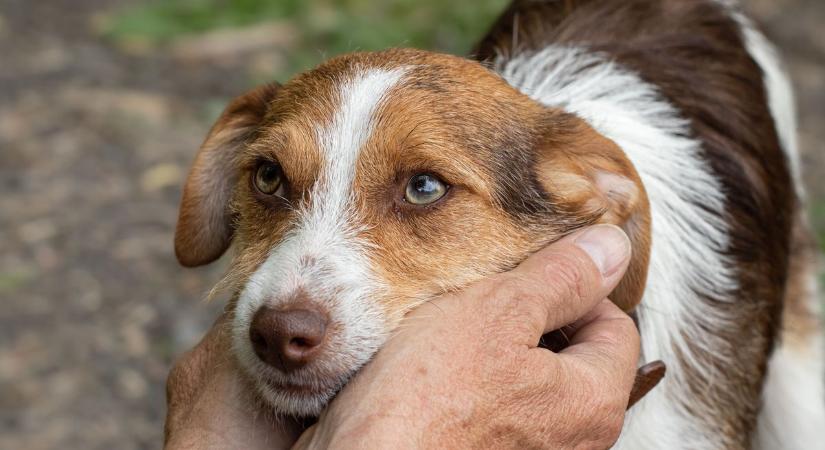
{"points": [[560, 283]]}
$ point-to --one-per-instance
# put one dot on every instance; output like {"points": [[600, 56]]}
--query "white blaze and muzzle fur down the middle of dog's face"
{"points": [[323, 257]]}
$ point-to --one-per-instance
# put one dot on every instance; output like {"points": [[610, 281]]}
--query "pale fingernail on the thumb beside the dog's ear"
{"points": [[607, 246]]}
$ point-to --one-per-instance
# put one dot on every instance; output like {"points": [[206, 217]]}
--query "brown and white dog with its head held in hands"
{"points": [[378, 180]]}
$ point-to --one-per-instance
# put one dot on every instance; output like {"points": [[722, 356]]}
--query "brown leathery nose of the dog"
{"points": [[287, 339]]}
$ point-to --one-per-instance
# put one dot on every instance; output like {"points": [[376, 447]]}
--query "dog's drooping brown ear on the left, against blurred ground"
{"points": [[205, 223]]}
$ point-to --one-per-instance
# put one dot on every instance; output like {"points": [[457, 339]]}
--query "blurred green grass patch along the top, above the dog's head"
{"points": [[325, 27]]}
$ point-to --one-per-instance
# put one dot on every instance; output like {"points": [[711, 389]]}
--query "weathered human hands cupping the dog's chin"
{"points": [[462, 371]]}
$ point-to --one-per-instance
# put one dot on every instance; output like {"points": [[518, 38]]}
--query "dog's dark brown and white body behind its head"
{"points": [[696, 98]]}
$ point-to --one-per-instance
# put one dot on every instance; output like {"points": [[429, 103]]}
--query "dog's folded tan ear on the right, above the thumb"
{"points": [[588, 175]]}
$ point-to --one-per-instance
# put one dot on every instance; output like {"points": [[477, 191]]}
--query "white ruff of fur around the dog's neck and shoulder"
{"points": [[686, 259]]}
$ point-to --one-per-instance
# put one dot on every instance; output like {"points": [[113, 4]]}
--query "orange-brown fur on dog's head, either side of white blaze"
{"points": [[497, 158]]}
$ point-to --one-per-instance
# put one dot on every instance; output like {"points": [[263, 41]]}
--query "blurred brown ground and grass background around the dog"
{"points": [[103, 104]]}
